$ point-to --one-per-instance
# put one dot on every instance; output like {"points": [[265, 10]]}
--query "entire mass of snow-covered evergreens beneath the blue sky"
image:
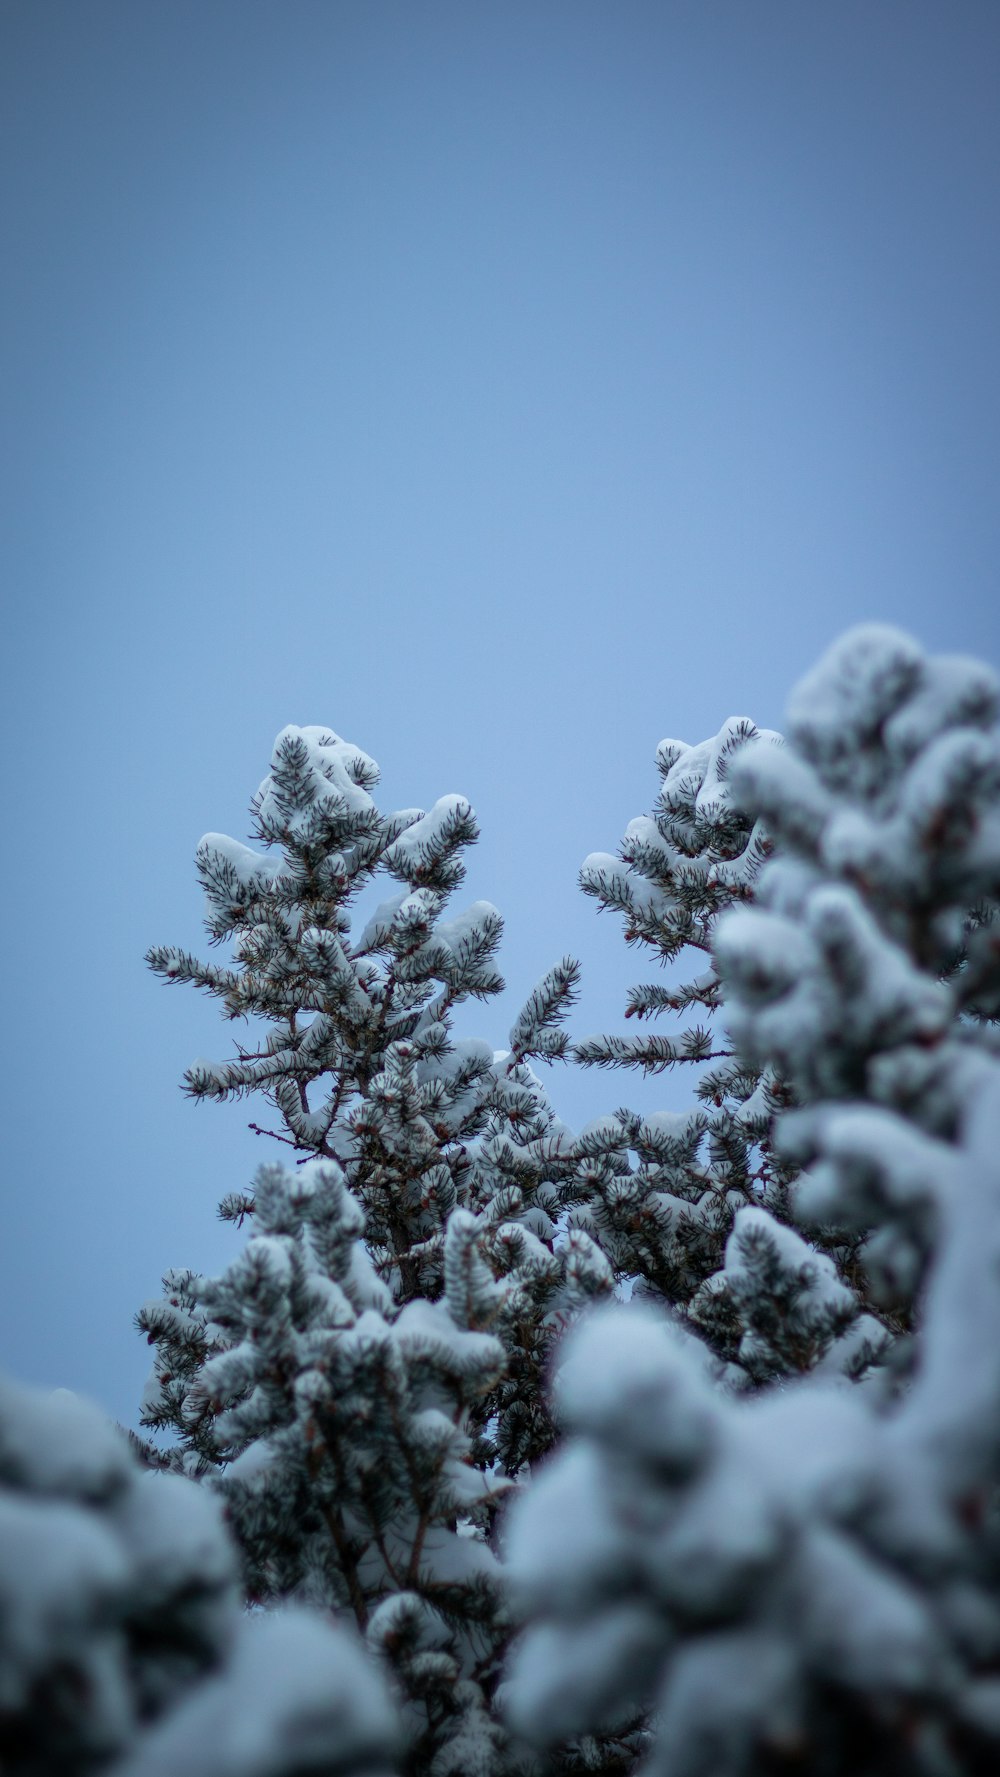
{"points": [[671, 1446]]}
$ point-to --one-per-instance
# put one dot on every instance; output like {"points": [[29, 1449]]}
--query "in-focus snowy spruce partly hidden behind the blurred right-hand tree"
{"points": [[678, 1199]]}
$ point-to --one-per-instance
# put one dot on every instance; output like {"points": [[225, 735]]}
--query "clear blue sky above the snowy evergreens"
{"points": [[505, 385]]}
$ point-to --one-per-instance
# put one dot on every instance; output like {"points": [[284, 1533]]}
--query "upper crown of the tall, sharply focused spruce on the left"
{"points": [[354, 1049]]}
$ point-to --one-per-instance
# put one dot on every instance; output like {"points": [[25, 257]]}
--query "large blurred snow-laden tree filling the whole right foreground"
{"points": [[811, 1579]]}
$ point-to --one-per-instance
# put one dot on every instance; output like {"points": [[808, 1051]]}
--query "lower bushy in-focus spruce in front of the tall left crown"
{"points": [[337, 1424]]}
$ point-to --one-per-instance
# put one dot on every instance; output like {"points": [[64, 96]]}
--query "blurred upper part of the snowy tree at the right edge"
{"points": [[869, 971]]}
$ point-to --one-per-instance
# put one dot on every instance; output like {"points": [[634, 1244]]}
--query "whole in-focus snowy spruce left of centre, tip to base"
{"points": [[363, 1383]]}
